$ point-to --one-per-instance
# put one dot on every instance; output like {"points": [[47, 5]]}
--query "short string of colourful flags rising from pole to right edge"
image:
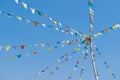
{"points": [[114, 27]]}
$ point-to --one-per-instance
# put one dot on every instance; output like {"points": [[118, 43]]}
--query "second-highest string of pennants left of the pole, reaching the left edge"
{"points": [[66, 29]]}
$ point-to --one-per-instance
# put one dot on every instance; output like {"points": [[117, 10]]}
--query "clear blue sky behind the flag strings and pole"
{"points": [[70, 12]]}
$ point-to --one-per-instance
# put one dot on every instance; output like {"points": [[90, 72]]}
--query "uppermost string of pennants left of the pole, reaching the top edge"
{"points": [[54, 21]]}
